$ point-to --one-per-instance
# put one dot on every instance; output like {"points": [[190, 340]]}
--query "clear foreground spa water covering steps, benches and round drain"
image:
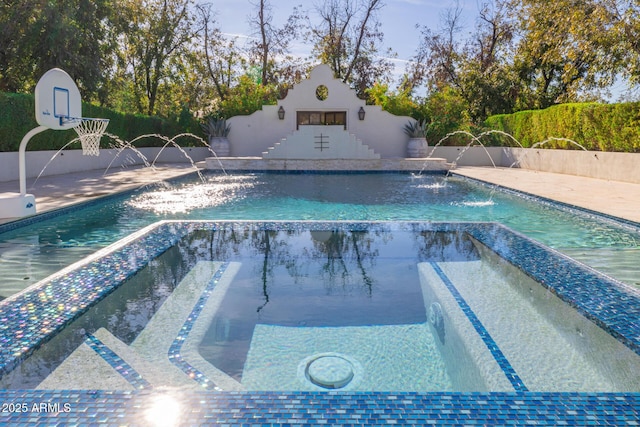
{"points": [[309, 306]]}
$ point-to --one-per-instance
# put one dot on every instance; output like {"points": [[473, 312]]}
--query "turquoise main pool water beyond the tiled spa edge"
{"points": [[31, 253]]}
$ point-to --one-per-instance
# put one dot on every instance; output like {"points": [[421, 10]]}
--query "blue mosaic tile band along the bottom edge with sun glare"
{"points": [[100, 408]]}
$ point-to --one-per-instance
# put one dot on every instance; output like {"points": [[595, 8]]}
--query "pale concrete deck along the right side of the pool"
{"points": [[620, 199]]}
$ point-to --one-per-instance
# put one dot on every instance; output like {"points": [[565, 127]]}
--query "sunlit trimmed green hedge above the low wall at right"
{"points": [[599, 127]]}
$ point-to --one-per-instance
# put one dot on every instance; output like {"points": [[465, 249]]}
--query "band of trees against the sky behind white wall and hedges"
{"points": [[170, 57]]}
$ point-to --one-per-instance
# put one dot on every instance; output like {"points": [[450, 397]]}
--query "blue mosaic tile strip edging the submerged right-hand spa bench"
{"points": [[495, 351]]}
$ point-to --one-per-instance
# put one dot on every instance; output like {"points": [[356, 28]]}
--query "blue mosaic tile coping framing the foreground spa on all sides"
{"points": [[64, 296]]}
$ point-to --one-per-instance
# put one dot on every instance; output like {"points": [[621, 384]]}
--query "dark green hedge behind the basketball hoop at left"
{"points": [[17, 117]]}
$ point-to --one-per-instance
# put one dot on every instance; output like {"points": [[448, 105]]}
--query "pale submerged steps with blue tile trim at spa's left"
{"points": [[147, 362]]}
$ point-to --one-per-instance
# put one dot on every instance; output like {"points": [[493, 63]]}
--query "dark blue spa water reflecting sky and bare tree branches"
{"points": [[321, 278]]}
